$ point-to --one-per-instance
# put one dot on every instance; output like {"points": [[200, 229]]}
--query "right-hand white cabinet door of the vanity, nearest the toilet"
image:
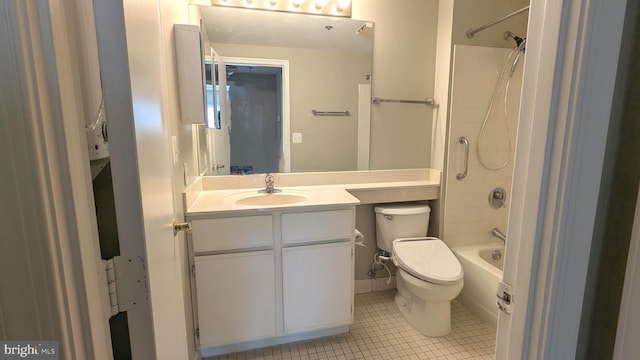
{"points": [[318, 286]]}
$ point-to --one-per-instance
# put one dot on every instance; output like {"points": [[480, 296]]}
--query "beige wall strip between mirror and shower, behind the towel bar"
{"points": [[404, 54]]}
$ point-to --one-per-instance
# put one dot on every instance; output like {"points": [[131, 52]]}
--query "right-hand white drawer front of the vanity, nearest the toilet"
{"points": [[317, 226]]}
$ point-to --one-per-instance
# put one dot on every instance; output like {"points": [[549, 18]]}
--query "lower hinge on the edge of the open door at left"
{"points": [[131, 289]]}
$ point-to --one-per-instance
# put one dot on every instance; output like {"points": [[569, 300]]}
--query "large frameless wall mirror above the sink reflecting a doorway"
{"points": [[298, 89]]}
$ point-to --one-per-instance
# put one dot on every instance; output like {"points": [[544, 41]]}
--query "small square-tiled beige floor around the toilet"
{"points": [[380, 332]]}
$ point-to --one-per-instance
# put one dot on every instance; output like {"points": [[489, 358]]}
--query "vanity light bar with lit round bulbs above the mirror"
{"points": [[338, 8]]}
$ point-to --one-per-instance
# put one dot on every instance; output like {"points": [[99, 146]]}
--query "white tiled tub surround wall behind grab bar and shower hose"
{"points": [[468, 218]]}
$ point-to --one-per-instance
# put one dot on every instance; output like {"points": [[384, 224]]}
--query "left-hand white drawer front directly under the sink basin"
{"points": [[232, 233]]}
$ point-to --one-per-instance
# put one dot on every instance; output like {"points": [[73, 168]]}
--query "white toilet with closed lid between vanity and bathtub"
{"points": [[429, 275]]}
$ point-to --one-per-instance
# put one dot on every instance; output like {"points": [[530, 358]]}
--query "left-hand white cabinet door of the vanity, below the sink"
{"points": [[236, 297]]}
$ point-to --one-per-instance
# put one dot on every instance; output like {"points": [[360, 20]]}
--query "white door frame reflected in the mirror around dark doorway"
{"points": [[286, 122]]}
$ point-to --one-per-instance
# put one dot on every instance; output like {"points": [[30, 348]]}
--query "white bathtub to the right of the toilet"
{"points": [[481, 276]]}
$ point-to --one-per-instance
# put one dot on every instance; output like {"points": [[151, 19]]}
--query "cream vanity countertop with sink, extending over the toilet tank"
{"points": [[221, 194]]}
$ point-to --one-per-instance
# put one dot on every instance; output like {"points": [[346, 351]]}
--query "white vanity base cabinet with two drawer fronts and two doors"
{"points": [[271, 277]]}
